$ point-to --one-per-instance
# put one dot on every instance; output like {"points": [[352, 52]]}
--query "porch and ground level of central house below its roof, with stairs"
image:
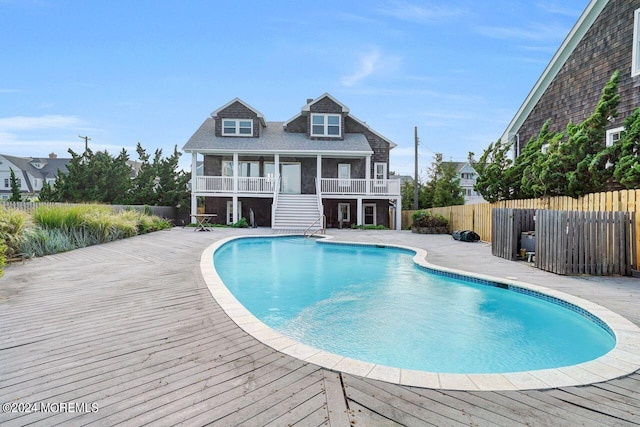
{"points": [[292, 190]]}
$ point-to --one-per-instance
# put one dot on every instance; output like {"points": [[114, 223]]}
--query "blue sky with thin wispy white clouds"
{"points": [[123, 72]]}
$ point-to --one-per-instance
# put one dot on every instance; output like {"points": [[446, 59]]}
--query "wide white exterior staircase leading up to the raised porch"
{"points": [[296, 212]]}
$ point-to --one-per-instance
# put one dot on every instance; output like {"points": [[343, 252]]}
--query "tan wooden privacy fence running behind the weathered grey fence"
{"points": [[478, 217]]}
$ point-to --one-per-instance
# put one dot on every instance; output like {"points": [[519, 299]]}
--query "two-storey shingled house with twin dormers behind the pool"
{"points": [[287, 174]]}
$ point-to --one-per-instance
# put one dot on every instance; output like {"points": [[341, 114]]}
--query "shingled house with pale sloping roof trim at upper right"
{"points": [[605, 38]]}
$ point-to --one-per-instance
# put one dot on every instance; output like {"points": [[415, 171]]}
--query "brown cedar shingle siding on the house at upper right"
{"points": [[574, 93]]}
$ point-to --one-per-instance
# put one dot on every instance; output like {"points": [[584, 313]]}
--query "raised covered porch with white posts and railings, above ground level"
{"points": [[341, 175]]}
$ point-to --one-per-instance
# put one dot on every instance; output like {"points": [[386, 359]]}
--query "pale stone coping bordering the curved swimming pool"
{"points": [[622, 360]]}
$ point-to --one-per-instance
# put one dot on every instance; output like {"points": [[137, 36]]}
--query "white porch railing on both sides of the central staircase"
{"points": [[224, 184]]}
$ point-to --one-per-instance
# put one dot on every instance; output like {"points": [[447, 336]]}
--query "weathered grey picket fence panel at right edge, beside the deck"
{"points": [[585, 242]]}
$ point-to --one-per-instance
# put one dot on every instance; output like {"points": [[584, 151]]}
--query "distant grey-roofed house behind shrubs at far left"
{"points": [[30, 173]]}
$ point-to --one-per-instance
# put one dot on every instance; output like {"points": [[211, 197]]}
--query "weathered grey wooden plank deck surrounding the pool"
{"points": [[131, 327]]}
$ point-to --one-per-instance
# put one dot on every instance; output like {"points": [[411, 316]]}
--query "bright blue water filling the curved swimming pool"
{"points": [[375, 304]]}
